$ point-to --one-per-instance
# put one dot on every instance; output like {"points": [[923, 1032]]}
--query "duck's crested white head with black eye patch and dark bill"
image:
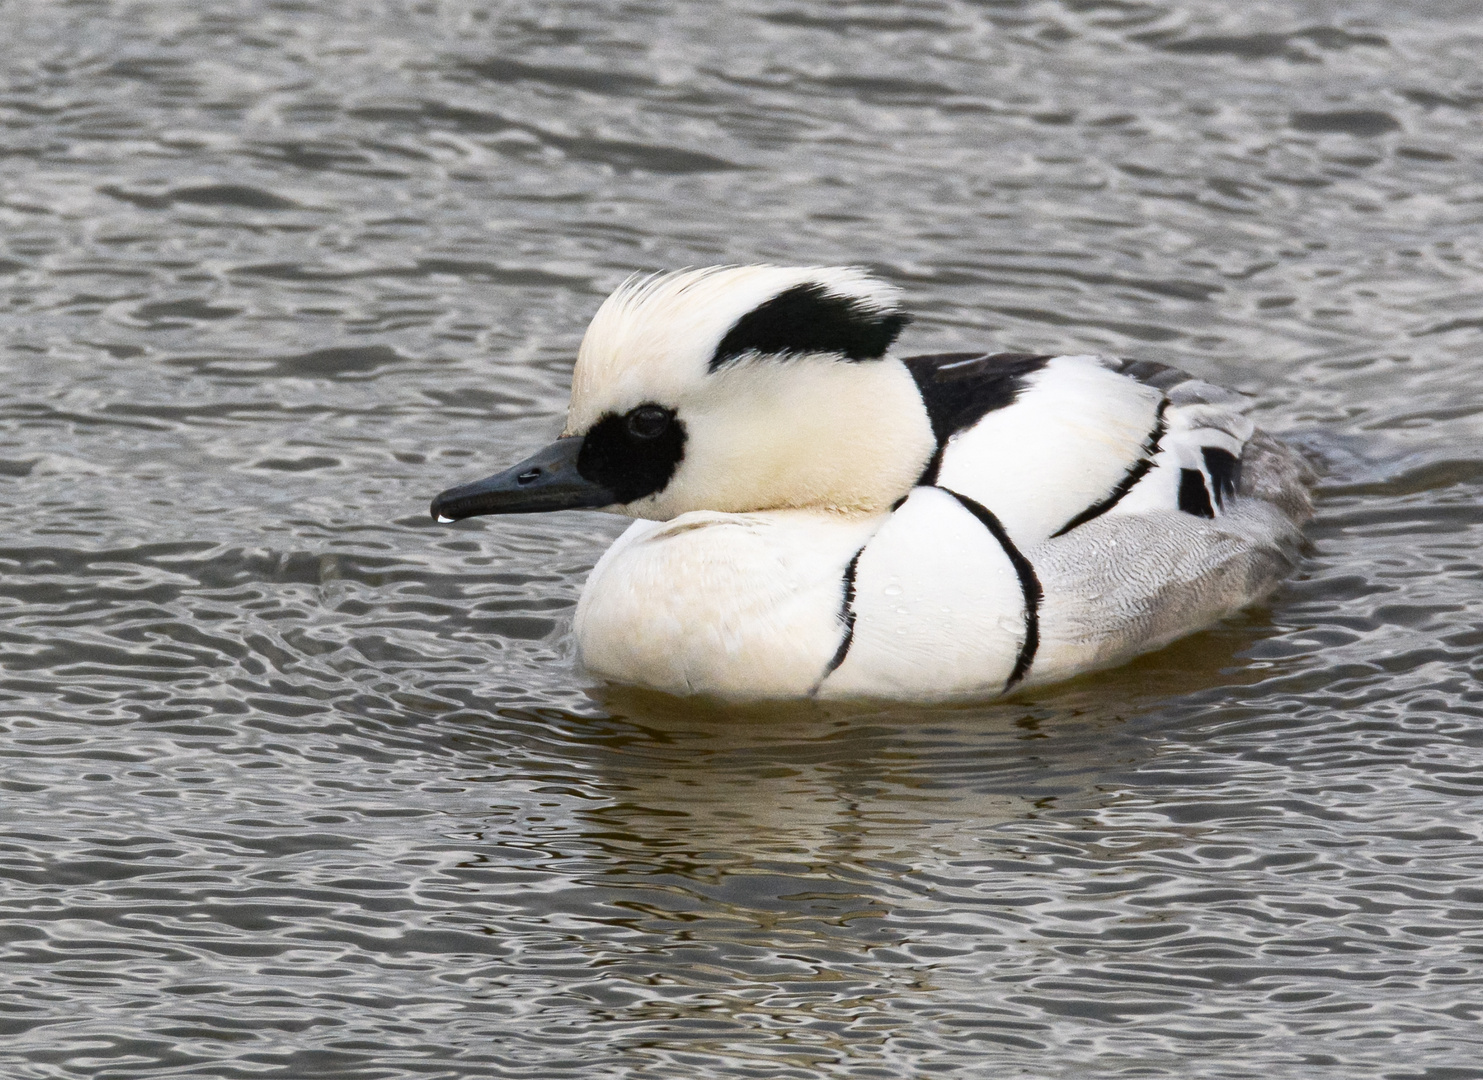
{"points": [[729, 389]]}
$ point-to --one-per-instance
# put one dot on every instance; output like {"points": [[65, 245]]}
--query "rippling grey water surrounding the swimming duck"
{"points": [[299, 786]]}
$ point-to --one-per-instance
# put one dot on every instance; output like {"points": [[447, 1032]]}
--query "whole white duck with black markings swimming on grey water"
{"points": [[925, 529]]}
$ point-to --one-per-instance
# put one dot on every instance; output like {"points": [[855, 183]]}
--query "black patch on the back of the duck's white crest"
{"points": [[810, 320]]}
